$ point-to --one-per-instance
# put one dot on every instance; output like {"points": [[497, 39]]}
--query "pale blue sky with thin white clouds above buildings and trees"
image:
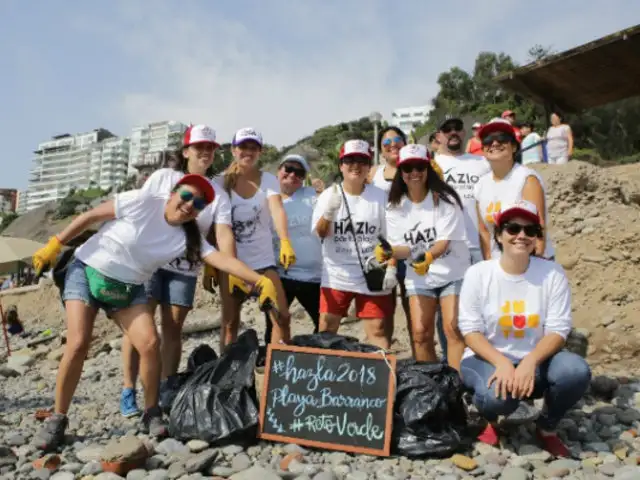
{"points": [[285, 67]]}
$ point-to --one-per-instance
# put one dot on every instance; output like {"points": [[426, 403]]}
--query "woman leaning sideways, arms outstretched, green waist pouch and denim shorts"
{"points": [[142, 232]]}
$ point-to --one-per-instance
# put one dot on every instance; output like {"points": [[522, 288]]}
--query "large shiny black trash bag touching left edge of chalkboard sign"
{"points": [[218, 403]]}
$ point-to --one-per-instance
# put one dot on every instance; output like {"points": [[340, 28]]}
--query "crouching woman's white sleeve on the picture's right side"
{"points": [[558, 315]]}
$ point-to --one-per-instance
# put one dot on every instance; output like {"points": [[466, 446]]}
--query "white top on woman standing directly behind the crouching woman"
{"points": [[492, 194]]}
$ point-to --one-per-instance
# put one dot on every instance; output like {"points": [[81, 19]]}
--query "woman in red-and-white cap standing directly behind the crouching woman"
{"points": [[508, 182]]}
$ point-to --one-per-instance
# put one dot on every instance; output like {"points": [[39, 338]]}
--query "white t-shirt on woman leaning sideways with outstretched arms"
{"points": [[138, 242]]}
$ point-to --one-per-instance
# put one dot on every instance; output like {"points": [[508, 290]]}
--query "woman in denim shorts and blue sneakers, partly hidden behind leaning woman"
{"points": [[173, 286]]}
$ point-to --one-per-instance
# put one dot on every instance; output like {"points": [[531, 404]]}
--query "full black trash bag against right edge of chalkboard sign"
{"points": [[429, 415]]}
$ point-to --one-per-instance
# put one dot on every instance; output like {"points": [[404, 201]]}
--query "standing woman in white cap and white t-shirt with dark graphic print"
{"points": [[255, 203]]}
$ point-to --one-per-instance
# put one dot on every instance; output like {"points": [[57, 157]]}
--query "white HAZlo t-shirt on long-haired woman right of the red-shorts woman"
{"points": [[419, 226]]}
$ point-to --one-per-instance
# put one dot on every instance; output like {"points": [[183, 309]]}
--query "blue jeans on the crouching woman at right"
{"points": [[562, 380]]}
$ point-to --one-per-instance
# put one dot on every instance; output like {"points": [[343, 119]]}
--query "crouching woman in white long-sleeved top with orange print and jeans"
{"points": [[515, 315]]}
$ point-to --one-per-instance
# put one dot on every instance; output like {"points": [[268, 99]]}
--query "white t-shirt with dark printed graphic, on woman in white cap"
{"points": [[251, 225]]}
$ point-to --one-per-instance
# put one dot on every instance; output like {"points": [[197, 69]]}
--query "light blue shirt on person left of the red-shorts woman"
{"points": [[308, 266]]}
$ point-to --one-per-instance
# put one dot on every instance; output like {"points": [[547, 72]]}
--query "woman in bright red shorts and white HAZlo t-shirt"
{"points": [[349, 231]]}
